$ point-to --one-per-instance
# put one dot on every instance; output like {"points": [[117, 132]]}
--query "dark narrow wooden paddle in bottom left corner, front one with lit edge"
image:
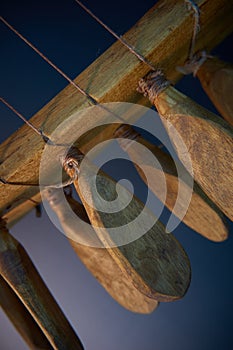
{"points": [[17, 269]]}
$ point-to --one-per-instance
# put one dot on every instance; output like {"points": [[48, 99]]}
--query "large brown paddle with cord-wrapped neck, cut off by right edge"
{"points": [[208, 138]]}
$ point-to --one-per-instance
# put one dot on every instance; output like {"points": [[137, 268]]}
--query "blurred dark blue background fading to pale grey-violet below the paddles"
{"points": [[203, 320]]}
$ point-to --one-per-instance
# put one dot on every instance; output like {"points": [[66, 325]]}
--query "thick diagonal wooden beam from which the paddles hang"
{"points": [[163, 36]]}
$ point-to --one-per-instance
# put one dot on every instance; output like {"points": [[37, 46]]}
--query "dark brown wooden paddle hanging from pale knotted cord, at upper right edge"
{"points": [[216, 78]]}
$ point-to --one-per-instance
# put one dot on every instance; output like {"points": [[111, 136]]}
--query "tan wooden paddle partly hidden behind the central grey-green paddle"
{"points": [[97, 260]]}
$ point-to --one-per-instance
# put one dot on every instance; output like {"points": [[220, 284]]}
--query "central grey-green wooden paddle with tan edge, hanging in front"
{"points": [[155, 263]]}
